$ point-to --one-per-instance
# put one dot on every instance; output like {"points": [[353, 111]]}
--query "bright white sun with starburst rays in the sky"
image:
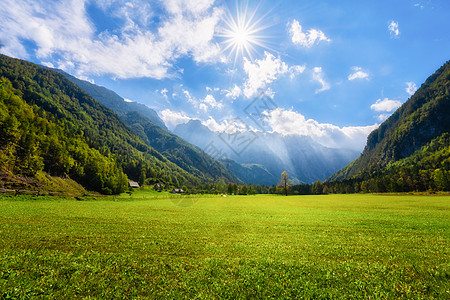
{"points": [[242, 34]]}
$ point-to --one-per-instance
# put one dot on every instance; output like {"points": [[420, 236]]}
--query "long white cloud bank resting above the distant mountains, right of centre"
{"points": [[288, 122]]}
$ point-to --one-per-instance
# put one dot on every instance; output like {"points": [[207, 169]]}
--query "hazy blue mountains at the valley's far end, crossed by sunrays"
{"points": [[271, 153]]}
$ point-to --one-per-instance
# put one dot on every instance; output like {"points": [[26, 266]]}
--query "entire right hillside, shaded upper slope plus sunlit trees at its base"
{"points": [[413, 142]]}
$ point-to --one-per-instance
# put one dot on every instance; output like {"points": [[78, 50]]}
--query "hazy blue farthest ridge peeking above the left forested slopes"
{"points": [[113, 101]]}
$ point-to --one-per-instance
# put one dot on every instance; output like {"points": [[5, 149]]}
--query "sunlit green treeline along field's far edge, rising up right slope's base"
{"points": [[428, 169]]}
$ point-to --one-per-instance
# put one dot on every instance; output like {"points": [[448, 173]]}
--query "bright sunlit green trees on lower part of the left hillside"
{"points": [[30, 143]]}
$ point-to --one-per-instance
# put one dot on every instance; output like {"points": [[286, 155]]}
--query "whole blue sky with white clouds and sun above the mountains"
{"points": [[331, 67]]}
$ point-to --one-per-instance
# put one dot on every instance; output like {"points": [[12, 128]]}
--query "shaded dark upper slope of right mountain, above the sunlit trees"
{"points": [[423, 118]]}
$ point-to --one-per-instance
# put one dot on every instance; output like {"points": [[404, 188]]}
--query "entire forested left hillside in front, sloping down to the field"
{"points": [[48, 124]]}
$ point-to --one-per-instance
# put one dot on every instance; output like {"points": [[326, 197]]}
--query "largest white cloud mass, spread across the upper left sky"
{"points": [[63, 30]]}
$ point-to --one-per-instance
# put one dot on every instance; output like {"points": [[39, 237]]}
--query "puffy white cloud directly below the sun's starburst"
{"points": [[264, 71]]}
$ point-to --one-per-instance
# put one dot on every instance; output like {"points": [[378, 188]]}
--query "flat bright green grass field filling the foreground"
{"points": [[264, 246]]}
